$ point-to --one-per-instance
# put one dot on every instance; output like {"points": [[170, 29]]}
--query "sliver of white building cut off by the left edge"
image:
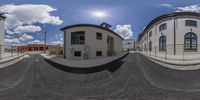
{"points": [[2, 29]]}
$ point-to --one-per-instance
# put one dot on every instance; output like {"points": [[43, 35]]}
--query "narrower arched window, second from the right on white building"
{"points": [[162, 43]]}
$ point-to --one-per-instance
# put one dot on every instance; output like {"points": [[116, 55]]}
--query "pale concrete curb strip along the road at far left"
{"points": [[10, 62]]}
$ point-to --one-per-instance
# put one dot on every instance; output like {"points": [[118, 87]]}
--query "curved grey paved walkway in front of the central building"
{"points": [[83, 63]]}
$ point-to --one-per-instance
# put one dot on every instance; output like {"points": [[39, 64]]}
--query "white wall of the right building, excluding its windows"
{"points": [[180, 29]]}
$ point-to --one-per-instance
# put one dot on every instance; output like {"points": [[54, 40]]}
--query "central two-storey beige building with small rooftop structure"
{"points": [[88, 41]]}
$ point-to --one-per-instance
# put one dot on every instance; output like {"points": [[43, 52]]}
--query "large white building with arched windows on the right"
{"points": [[172, 34]]}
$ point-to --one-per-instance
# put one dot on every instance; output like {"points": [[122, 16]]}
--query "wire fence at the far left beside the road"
{"points": [[7, 51]]}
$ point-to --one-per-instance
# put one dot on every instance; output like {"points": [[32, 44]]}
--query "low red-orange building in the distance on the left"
{"points": [[34, 47]]}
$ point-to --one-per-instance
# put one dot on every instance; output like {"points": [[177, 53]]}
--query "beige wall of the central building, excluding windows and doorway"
{"points": [[91, 41]]}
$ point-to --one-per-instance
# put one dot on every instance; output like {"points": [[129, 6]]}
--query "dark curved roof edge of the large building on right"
{"points": [[168, 16]]}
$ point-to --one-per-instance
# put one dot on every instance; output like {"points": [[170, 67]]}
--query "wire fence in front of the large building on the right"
{"points": [[168, 53]]}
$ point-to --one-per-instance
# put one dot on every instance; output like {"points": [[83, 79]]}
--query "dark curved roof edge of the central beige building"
{"points": [[90, 25]]}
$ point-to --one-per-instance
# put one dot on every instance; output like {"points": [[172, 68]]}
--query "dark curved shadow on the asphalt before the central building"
{"points": [[111, 67]]}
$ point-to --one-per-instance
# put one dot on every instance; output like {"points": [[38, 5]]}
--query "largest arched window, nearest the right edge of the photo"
{"points": [[190, 41]]}
